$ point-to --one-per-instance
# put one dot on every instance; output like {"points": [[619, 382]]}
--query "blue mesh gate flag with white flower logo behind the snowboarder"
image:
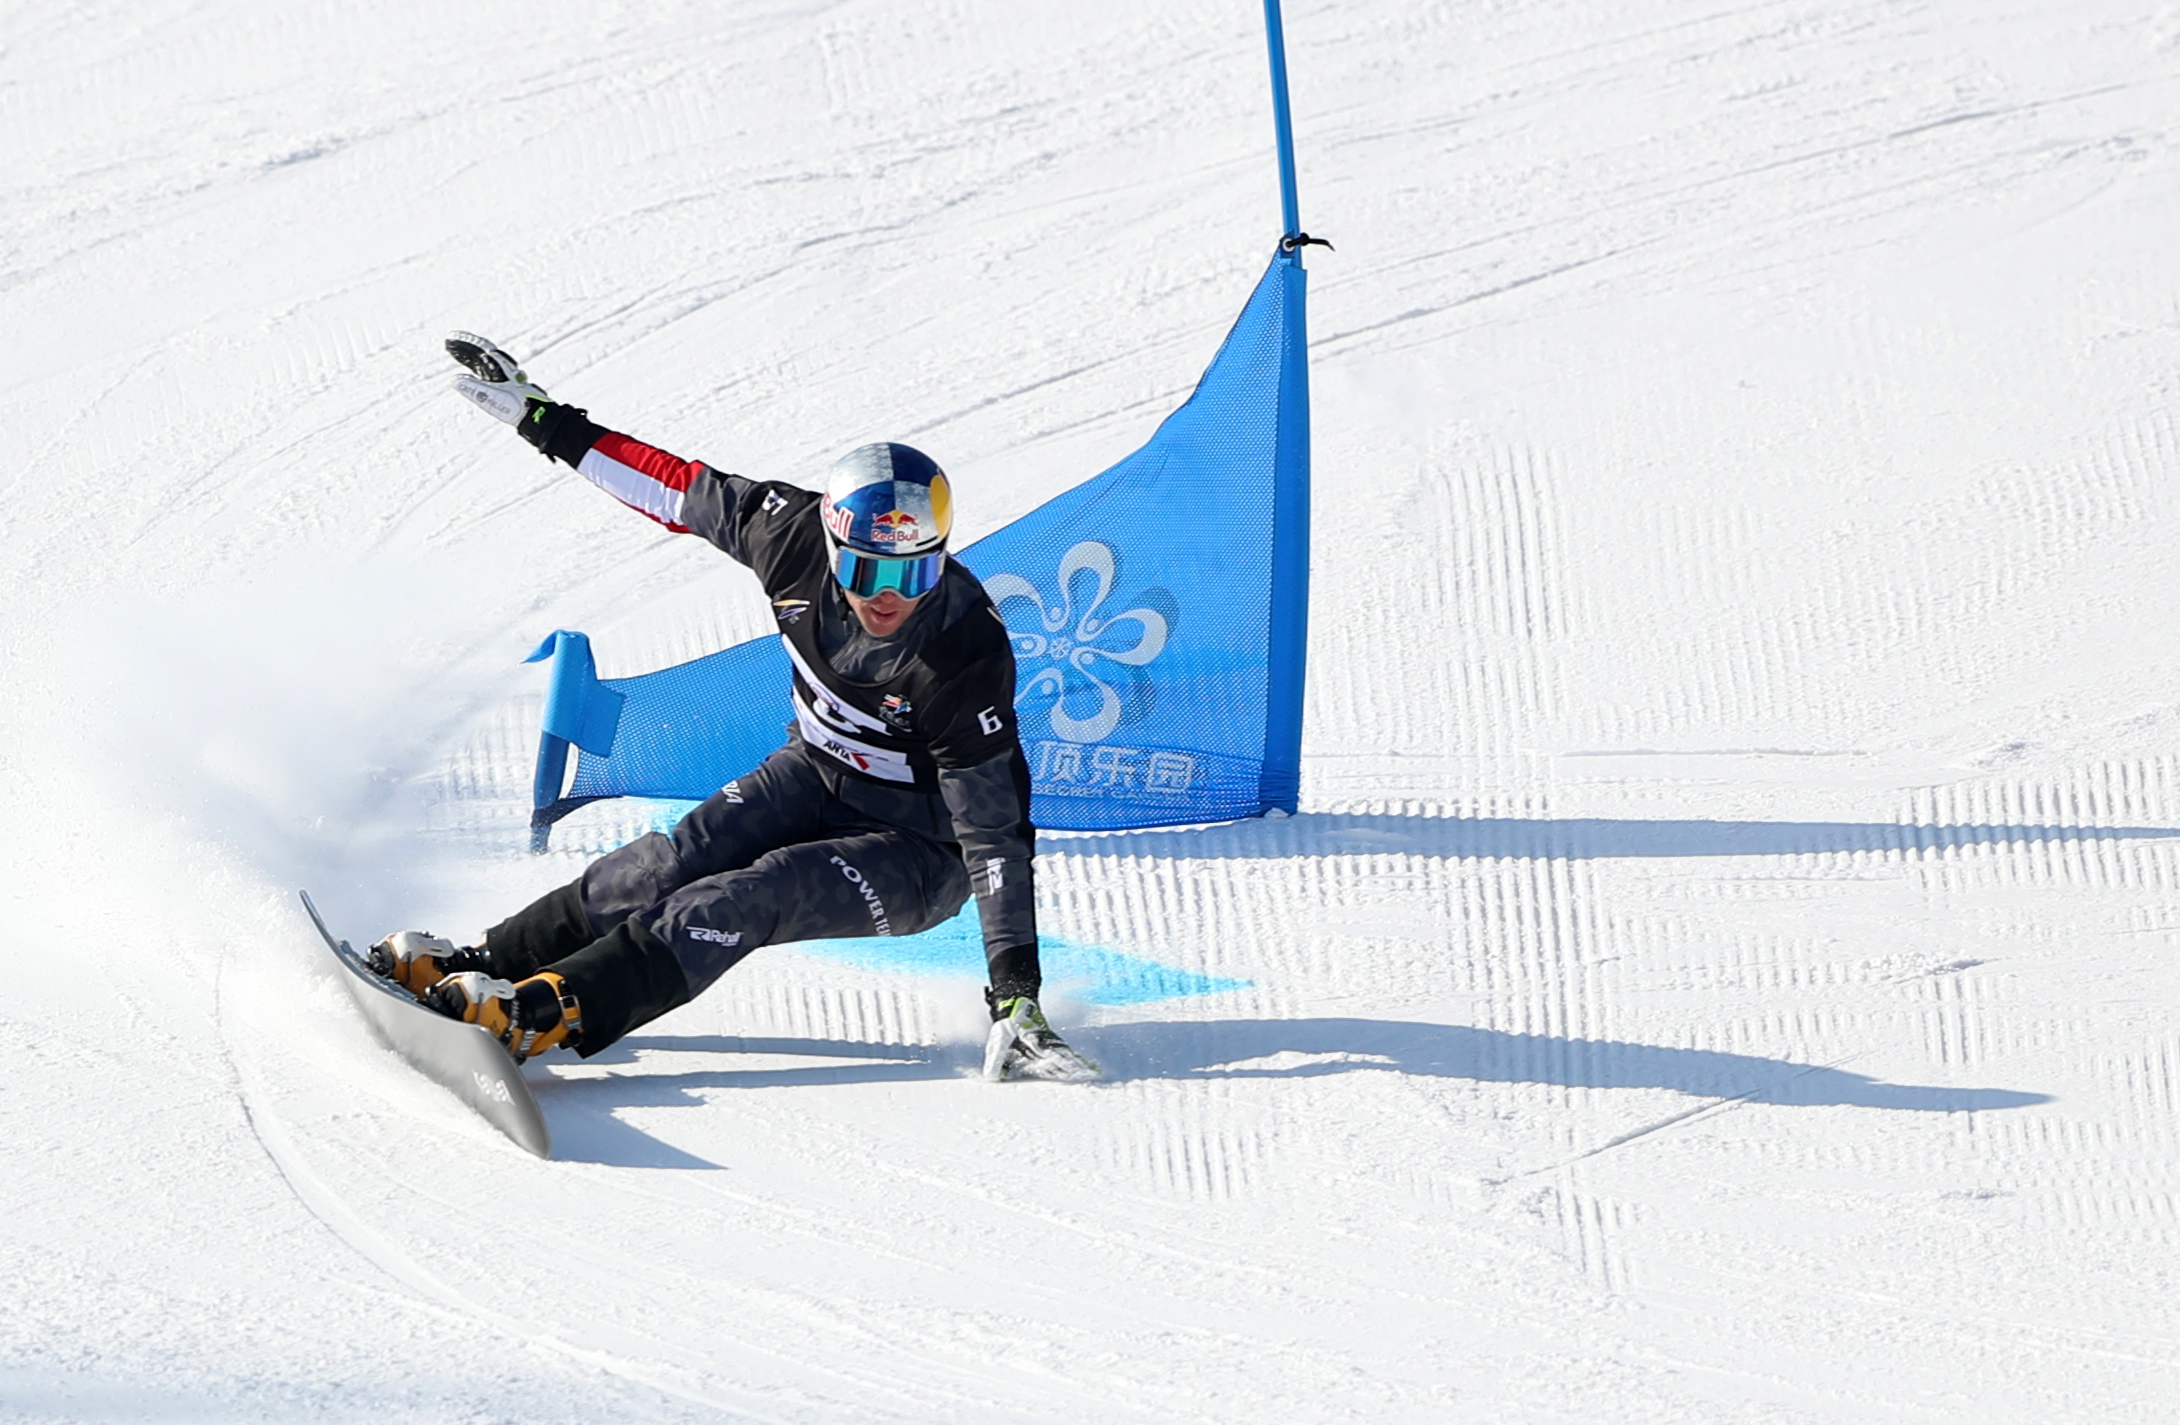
{"points": [[1159, 618]]}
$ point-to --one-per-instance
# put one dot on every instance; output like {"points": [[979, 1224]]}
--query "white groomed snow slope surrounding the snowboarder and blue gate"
{"points": [[1725, 962]]}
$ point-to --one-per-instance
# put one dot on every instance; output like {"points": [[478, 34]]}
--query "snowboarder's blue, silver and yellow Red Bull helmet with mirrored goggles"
{"points": [[886, 513]]}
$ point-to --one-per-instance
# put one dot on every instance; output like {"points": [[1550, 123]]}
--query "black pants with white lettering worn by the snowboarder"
{"points": [[771, 857]]}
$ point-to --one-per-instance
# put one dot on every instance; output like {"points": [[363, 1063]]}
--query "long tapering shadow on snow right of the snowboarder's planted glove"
{"points": [[1307, 1049]]}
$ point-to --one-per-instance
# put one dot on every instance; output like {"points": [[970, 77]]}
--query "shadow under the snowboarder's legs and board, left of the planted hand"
{"points": [[583, 1112]]}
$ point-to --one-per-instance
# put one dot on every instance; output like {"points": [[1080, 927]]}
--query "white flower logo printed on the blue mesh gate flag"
{"points": [[1085, 653]]}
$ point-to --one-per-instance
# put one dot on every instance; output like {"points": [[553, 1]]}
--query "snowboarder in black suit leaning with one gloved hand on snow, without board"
{"points": [[899, 794]]}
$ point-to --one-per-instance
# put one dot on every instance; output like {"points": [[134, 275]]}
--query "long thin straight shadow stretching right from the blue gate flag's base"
{"points": [[1564, 840]]}
